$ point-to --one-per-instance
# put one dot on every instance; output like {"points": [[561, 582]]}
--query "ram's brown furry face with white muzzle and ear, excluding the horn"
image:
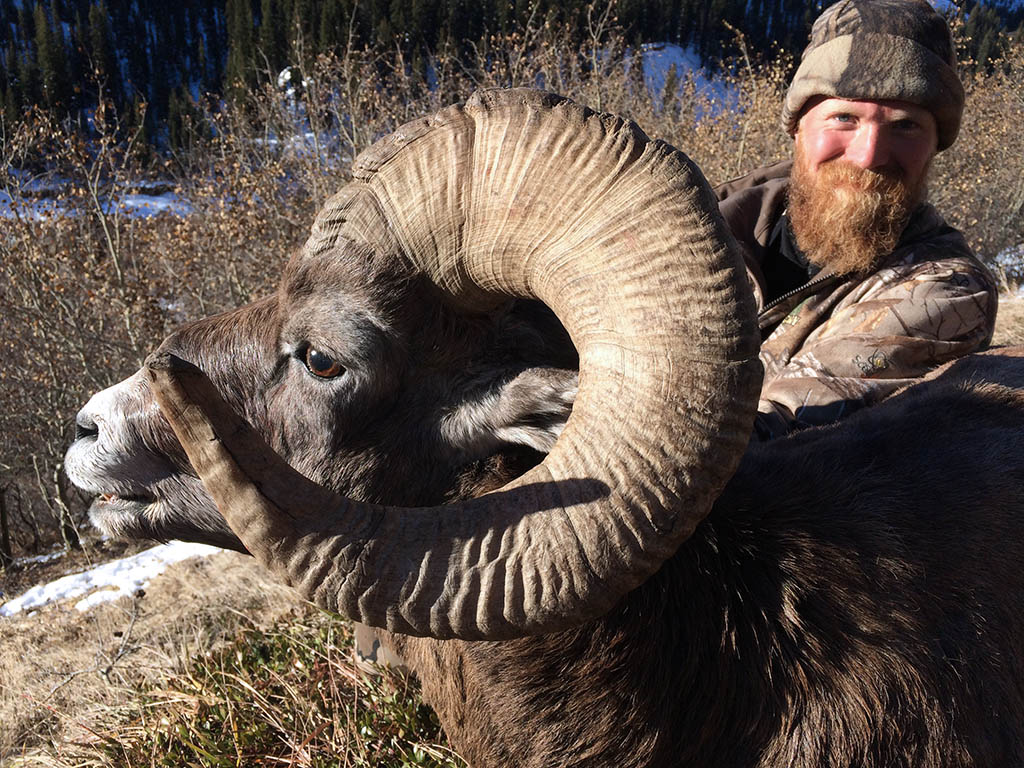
{"points": [[364, 380]]}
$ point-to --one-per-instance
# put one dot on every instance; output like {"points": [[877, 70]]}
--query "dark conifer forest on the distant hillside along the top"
{"points": [[155, 61]]}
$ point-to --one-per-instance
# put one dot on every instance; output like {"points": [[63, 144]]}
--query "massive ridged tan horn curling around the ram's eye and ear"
{"points": [[521, 194]]}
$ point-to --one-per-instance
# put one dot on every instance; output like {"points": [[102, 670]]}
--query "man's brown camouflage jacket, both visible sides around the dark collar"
{"points": [[839, 344]]}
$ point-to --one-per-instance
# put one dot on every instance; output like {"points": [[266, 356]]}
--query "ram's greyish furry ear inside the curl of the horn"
{"points": [[529, 409]]}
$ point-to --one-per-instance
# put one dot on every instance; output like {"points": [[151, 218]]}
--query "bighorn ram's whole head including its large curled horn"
{"points": [[402, 351]]}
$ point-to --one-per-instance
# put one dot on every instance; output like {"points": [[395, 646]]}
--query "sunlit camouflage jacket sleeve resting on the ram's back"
{"points": [[891, 329]]}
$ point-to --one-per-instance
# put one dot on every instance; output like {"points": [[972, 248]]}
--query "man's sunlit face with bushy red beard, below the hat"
{"points": [[861, 167]]}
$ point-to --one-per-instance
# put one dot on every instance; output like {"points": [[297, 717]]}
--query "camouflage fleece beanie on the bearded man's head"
{"points": [[885, 50]]}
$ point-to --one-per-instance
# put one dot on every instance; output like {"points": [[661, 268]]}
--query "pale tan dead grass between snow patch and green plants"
{"points": [[63, 673]]}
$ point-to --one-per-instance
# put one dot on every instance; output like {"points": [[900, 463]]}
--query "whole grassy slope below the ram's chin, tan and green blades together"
{"points": [[216, 665]]}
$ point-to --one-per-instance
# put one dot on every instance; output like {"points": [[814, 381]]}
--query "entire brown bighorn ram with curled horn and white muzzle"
{"points": [[852, 600]]}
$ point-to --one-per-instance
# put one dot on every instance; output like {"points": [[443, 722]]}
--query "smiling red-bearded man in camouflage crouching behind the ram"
{"points": [[862, 286]]}
